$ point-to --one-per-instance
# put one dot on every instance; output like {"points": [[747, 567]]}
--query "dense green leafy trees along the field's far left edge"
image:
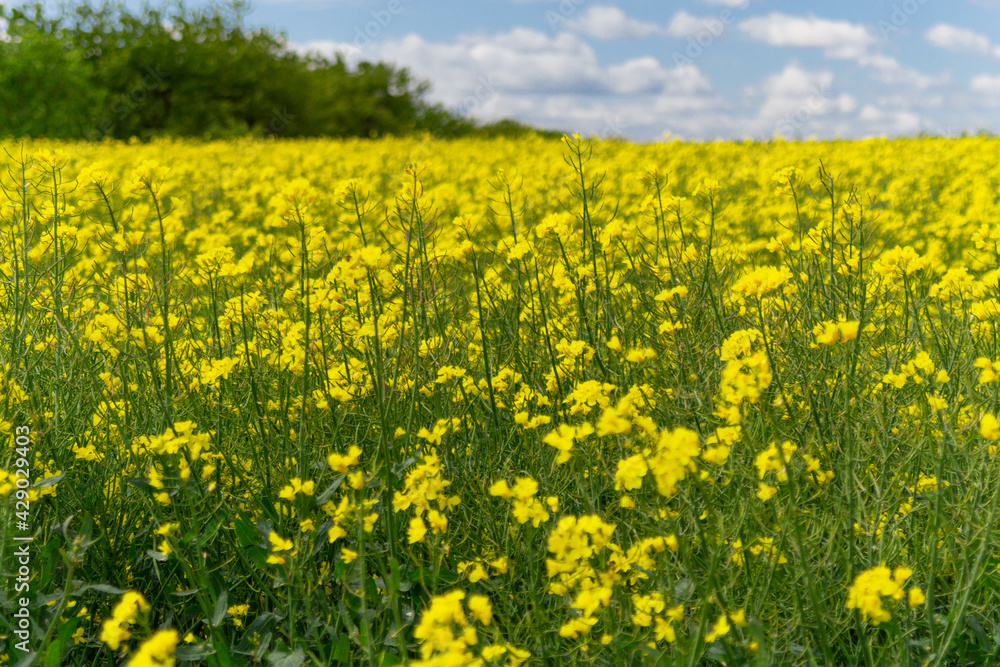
{"points": [[105, 70]]}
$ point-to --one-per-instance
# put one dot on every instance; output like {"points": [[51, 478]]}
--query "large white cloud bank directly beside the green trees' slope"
{"points": [[550, 81]]}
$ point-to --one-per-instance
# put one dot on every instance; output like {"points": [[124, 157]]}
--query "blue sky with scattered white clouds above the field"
{"points": [[698, 69]]}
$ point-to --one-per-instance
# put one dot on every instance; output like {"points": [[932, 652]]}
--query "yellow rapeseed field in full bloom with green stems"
{"points": [[498, 402]]}
